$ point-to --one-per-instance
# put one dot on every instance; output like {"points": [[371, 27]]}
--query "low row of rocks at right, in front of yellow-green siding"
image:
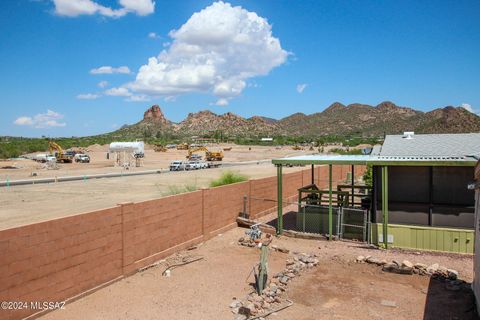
{"points": [[407, 267]]}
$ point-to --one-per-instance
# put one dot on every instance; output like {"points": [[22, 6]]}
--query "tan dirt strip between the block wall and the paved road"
{"points": [[27, 204]]}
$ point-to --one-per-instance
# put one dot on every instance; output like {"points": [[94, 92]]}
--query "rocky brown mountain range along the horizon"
{"points": [[337, 119]]}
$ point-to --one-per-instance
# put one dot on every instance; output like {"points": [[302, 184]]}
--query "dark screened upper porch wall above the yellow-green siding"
{"points": [[411, 198]]}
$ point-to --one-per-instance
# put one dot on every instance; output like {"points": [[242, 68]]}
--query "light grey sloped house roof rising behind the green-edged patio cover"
{"points": [[432, 146]]}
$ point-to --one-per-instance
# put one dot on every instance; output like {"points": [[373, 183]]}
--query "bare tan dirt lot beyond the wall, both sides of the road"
{"points": [[34, 203]]}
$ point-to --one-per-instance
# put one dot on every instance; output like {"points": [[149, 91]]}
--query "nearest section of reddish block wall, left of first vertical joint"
{"points": [[57, 259]]}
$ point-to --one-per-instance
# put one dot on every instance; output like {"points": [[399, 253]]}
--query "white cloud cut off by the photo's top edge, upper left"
{"points": [[74, 8]]}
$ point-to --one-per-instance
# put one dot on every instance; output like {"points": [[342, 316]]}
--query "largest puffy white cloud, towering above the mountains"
{"points": [[215, 51]]}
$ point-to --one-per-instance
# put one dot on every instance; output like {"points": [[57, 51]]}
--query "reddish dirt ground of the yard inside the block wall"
{"points": [[338, 288]]}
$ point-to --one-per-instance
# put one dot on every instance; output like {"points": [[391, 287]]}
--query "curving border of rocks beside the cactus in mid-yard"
{"points": [[273, 297]]}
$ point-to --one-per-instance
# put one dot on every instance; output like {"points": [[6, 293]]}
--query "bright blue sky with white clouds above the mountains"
{"points": [[421, 54]]}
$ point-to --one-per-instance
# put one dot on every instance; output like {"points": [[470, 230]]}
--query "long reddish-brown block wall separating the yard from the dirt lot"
{"points": [[64, 258]]}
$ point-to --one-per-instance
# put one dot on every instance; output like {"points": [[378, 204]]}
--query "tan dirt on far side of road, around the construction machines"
{"points": [[153, 160]]}
